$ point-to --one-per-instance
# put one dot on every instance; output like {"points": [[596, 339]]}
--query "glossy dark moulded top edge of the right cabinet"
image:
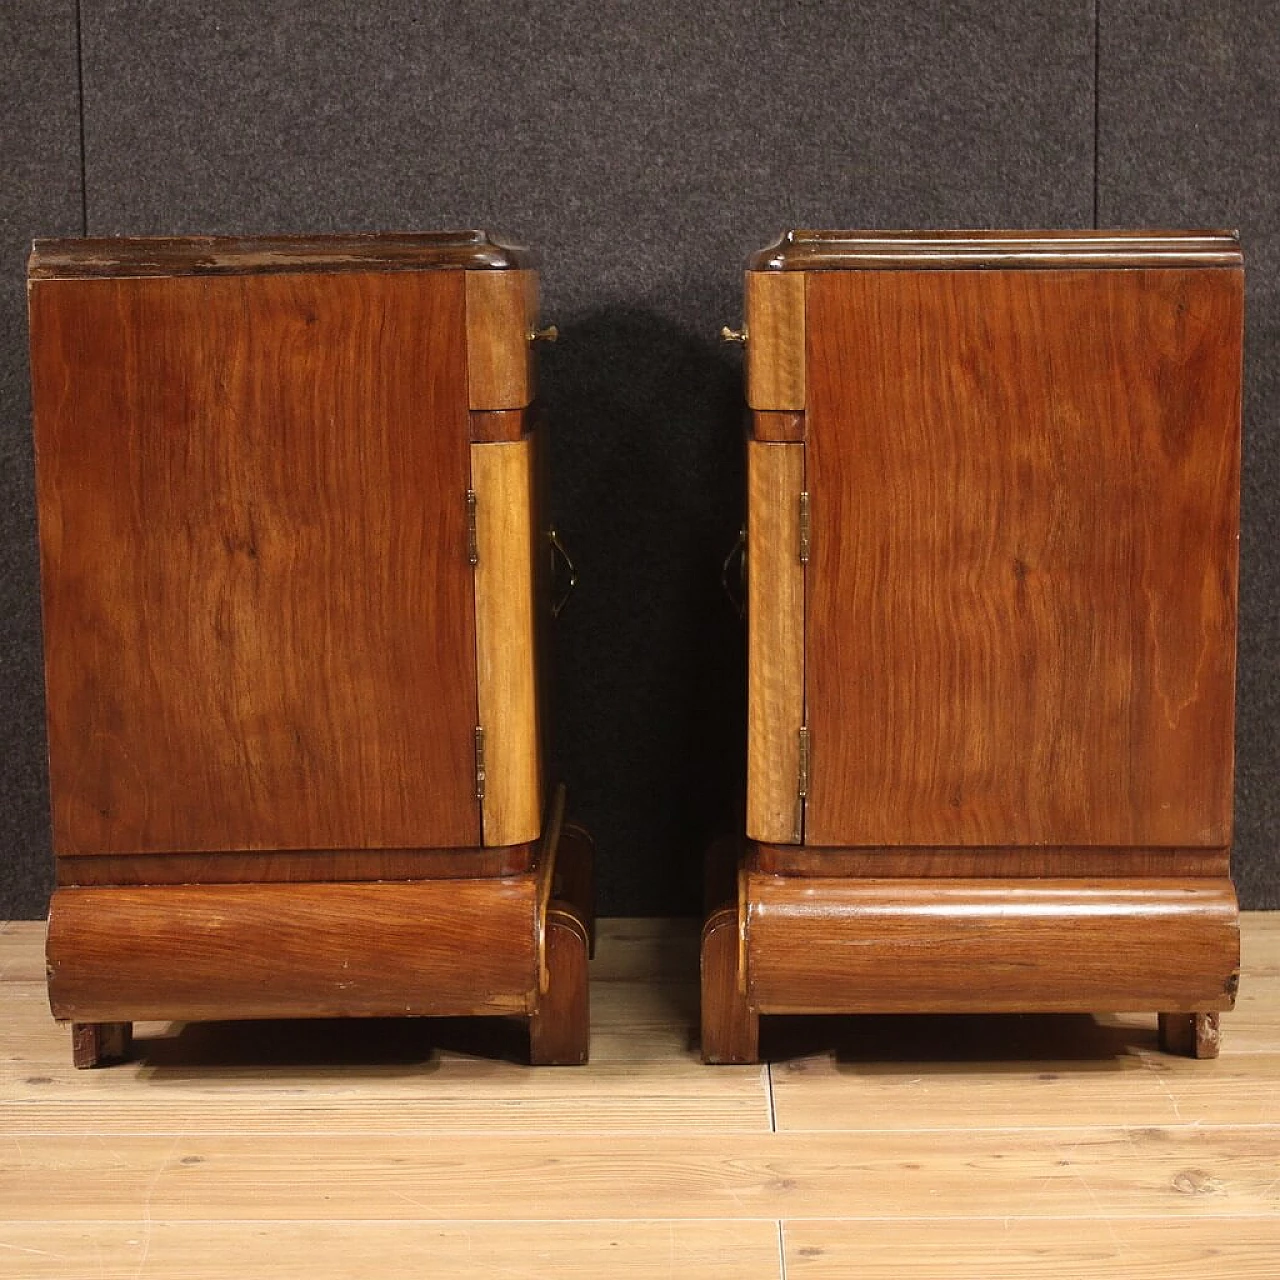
{"points": [[836, 250]]}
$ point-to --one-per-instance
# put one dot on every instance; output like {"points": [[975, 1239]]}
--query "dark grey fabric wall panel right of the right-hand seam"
{"points": [[1188, 135]]}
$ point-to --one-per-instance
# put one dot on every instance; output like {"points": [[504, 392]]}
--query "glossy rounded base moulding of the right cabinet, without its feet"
{"points": [[968, 947]]}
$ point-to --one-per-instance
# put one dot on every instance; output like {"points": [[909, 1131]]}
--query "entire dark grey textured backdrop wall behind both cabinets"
{"points": [[644, 150]]}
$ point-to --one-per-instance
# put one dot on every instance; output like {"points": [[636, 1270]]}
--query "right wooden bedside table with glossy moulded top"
{"points": [[993, 528]]}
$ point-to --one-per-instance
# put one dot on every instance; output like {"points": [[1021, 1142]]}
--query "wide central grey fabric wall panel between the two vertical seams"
{"points": [[644, 150]]}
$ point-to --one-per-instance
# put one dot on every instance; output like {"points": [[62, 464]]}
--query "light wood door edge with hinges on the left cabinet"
{"points": [[502, 477]]}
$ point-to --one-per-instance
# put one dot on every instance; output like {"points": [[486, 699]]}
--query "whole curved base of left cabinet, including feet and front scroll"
{"points": [[438, 948]]}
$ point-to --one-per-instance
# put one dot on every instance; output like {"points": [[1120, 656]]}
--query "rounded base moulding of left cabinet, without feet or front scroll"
{"points": [[196, 953]]}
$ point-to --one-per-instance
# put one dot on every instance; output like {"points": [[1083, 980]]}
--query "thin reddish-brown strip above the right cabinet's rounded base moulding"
{"points": [[1012, 861]]}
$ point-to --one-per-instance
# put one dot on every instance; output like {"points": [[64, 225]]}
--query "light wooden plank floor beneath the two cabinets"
{"points": [[875, 1148]]}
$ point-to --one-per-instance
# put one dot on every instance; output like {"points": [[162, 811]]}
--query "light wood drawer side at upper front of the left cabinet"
{"points": [[502, 309]]}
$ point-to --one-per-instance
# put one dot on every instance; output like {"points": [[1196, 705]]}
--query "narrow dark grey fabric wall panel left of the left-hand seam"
{"points": [[40, 194]]}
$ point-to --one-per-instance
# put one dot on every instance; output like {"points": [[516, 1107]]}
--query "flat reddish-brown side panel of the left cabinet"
{"points": [[258, 596]]}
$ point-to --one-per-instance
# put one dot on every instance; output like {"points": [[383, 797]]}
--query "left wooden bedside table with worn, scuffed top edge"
{"points": [[295, 580]]}
